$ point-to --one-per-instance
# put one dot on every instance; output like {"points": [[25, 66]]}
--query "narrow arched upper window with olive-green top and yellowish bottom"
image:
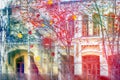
{"points": [[96, 24]]}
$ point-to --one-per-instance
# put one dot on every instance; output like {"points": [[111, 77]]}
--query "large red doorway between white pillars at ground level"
{"points": [[91, 67]]}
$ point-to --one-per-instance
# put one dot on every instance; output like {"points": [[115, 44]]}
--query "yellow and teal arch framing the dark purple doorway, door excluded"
{"points": [[16, 54]]}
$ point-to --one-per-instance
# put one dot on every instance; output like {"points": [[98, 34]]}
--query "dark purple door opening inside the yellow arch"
{"points": [[20, 65]]}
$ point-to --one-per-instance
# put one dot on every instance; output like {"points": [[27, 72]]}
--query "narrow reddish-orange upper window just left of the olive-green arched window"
{"points": [[85, 25]]}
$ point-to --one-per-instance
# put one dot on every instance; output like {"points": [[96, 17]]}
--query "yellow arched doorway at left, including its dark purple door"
{"points": [[18, 60]]}
